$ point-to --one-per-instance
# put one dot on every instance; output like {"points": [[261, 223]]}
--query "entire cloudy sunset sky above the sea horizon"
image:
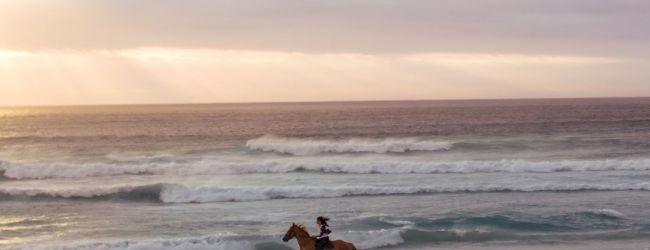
{"points": [[65, 52]]}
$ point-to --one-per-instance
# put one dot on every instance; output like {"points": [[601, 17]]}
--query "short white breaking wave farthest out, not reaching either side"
{"points": [[296, 146]]}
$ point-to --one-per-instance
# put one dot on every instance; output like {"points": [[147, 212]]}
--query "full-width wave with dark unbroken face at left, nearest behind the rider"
{"points": [[177, 193]]}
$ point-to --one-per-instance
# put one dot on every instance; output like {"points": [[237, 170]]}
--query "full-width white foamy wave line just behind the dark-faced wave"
{"points": [[325, 165]]}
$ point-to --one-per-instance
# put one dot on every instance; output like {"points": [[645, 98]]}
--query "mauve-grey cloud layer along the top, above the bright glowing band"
{"points": [[590, 27]]}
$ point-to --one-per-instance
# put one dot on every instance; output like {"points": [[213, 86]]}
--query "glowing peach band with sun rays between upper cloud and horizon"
{"points": [[172, 75]]}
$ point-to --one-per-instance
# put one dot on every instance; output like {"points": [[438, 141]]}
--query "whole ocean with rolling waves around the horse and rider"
{"points": [[463, 174]]}
